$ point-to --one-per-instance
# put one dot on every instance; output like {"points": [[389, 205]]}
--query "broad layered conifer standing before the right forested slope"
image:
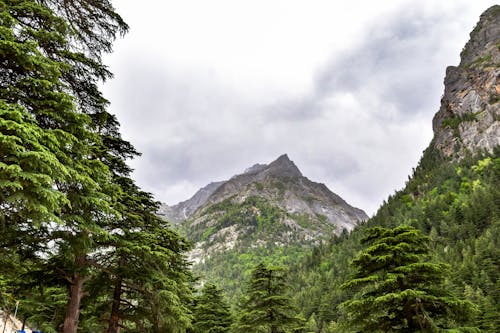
{"points": [[396, 289]]}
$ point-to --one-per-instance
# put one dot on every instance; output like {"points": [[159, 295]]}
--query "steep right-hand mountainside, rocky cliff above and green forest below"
{"points": [[453, 196]]}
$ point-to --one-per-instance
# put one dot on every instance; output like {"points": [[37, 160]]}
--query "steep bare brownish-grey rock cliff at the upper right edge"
{"points": [[468, 119]]}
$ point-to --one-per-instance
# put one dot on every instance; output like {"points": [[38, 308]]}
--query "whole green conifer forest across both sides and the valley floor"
{"points": [[81, 248]]}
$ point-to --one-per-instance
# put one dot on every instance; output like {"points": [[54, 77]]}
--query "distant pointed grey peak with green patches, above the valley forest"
{"points": [[270, 204]]}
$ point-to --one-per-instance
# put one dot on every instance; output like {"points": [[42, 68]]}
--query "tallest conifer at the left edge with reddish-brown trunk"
{"points": [[52, 109]]}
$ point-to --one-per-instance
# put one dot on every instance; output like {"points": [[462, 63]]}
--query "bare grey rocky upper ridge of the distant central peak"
{"points": [[277, 174]]}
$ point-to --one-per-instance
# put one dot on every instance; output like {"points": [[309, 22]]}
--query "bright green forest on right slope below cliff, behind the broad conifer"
{"points": [[456, 203]]}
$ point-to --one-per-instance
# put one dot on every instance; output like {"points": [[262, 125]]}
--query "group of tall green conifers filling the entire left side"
{"points": [[81, 247]]}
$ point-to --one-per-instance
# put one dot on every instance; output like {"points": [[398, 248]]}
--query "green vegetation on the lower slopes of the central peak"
{"points": [[262, 236]]}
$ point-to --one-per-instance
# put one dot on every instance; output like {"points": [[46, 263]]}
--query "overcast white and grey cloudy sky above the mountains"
{"points": [[205, 89]]}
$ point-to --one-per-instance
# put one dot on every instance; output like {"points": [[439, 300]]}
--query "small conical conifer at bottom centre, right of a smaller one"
{"points": [[266, 307]]}
